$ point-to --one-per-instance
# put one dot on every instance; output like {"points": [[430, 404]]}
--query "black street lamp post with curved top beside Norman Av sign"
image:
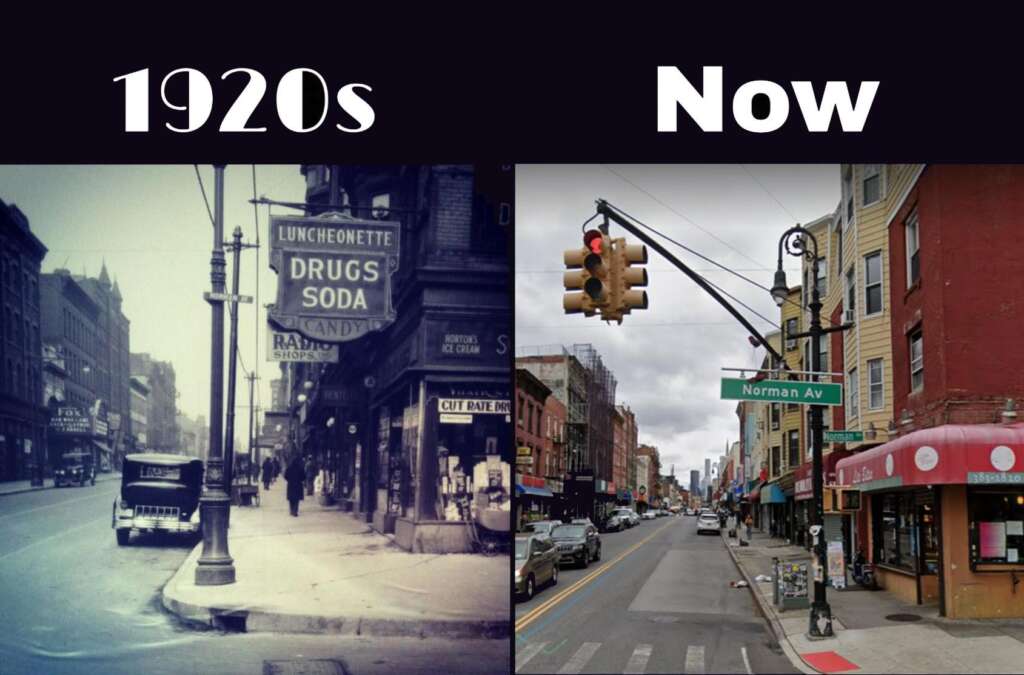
{"points": [[795, 242]]}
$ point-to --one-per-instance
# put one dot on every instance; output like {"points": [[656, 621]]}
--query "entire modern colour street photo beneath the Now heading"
{"points": [[817, 365]]}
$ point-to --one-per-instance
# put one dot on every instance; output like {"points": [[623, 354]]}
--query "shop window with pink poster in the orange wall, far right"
{"points": [[996, 526]]}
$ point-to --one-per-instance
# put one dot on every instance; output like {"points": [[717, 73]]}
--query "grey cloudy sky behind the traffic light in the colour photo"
{"points": [[668, 359]]}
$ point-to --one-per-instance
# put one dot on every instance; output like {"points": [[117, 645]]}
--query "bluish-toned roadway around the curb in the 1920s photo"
{"points": [[73, 602]]}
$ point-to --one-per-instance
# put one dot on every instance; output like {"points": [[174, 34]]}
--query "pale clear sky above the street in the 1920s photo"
{"points": [[151, 226]]}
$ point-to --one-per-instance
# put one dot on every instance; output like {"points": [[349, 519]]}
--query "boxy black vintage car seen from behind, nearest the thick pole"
{"points": [[159, 493]]}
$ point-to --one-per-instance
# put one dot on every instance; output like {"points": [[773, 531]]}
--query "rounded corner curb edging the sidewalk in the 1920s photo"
{"points": [[257, 621]]}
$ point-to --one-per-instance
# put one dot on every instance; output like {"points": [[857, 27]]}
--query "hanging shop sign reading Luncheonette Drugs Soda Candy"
{"points": [[334, 276]]}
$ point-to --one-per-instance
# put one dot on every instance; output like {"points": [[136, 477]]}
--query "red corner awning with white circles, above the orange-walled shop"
{"points": [[953, 454]]}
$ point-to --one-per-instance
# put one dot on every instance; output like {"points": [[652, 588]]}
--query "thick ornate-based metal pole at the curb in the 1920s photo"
{"points": [[216, 567]]}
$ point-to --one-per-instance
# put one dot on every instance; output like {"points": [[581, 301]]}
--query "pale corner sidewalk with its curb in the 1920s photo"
{"points": [[327, 572]]}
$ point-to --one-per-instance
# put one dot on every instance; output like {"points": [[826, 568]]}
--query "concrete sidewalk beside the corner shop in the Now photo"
{"points": [[868, 643]]}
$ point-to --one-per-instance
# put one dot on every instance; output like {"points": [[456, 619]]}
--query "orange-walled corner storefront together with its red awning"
{"points": [[946, 509]]}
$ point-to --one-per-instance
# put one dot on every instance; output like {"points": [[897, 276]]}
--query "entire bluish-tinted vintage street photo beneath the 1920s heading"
{"points": [[255, 419]]}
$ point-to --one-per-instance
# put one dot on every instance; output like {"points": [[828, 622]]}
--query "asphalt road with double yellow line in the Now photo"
{"points": [[659, 602]]}
